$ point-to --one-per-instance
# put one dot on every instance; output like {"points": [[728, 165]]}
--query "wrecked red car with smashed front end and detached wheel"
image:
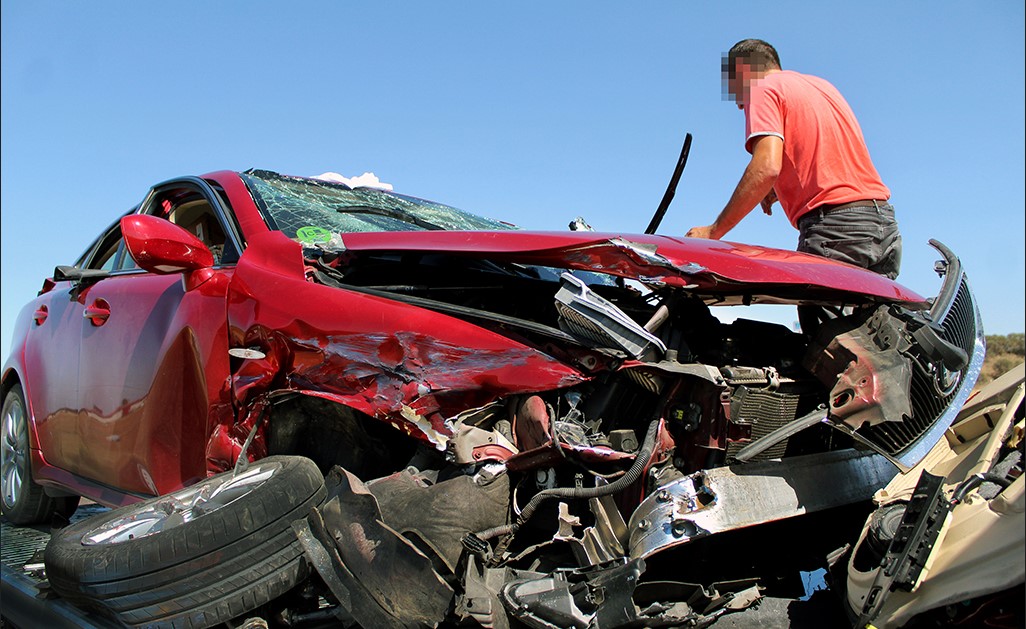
{"points": [[315, 402]]}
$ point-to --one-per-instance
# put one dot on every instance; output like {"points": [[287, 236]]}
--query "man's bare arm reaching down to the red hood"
{"points": [[756, 184]]}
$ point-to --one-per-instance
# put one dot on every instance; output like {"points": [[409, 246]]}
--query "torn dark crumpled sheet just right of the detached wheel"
{"points": [[385, 579]]}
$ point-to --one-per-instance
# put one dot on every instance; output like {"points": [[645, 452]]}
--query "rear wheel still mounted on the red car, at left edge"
{"points": [[22, 501]]}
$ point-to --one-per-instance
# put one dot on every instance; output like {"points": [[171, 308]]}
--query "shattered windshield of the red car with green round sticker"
{"points": [[312, 211]]}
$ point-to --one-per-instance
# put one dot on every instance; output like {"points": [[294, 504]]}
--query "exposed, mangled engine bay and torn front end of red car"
{"points": [[547, 505]]}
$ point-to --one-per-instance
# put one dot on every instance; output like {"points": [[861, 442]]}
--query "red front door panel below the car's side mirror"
{"points": [[148, 348]]}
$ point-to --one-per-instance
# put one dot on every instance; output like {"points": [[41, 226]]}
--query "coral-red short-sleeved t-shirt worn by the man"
{"points": [[825, 156]]}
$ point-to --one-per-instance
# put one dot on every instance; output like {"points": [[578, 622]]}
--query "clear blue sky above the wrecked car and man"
{"points": [[533, 112]]}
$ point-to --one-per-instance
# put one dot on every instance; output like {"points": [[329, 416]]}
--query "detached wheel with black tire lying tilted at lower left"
{"points": [[195, 558]]}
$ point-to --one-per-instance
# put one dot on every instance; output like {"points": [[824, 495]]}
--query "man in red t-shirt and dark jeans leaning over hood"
{"points": [[809, 153]]}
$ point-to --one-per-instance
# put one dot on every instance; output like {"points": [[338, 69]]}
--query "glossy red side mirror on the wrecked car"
{"points": [[159, 246]]}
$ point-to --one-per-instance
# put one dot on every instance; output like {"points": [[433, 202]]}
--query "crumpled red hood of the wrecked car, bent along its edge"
{"points": [[706, 266]]}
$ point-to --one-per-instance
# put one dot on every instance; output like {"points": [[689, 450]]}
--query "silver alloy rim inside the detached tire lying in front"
{"points": [[181, 507]]}
